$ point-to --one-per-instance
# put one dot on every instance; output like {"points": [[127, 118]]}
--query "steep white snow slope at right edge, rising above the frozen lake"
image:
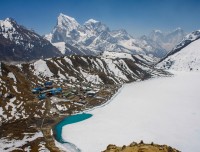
{"points": [[185, 56]]}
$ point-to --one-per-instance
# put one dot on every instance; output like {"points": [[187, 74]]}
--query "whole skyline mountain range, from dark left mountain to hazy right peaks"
{"points": [[68, 37]]}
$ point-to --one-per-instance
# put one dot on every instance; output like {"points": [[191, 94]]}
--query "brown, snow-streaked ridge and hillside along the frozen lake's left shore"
{"points": [[76, 75]]}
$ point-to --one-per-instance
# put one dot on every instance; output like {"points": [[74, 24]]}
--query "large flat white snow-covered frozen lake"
{"points": [[162, 110]]}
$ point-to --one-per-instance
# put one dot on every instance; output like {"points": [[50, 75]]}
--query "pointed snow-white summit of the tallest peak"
{"points": [[68, 22]]}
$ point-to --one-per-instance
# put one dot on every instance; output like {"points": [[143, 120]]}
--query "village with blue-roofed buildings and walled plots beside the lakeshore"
{"points": [[69, 98]]}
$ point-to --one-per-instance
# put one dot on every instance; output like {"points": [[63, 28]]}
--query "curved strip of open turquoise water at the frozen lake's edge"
{"points": [[69, 120]]}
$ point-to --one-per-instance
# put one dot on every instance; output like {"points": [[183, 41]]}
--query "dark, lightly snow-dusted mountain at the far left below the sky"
{"points": [[17, 43]]}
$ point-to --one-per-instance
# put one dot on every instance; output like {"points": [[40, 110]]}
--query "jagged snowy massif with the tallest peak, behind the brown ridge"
{"points": [[94, 37]]}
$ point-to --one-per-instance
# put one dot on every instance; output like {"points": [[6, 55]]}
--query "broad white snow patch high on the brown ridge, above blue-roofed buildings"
{"points": [[41, 68]]}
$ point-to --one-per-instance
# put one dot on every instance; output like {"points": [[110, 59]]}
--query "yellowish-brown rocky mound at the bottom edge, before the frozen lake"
{"points": [[141, 147]]}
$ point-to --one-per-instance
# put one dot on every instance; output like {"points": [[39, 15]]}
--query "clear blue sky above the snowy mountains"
{"points": [[138, 17]]}
